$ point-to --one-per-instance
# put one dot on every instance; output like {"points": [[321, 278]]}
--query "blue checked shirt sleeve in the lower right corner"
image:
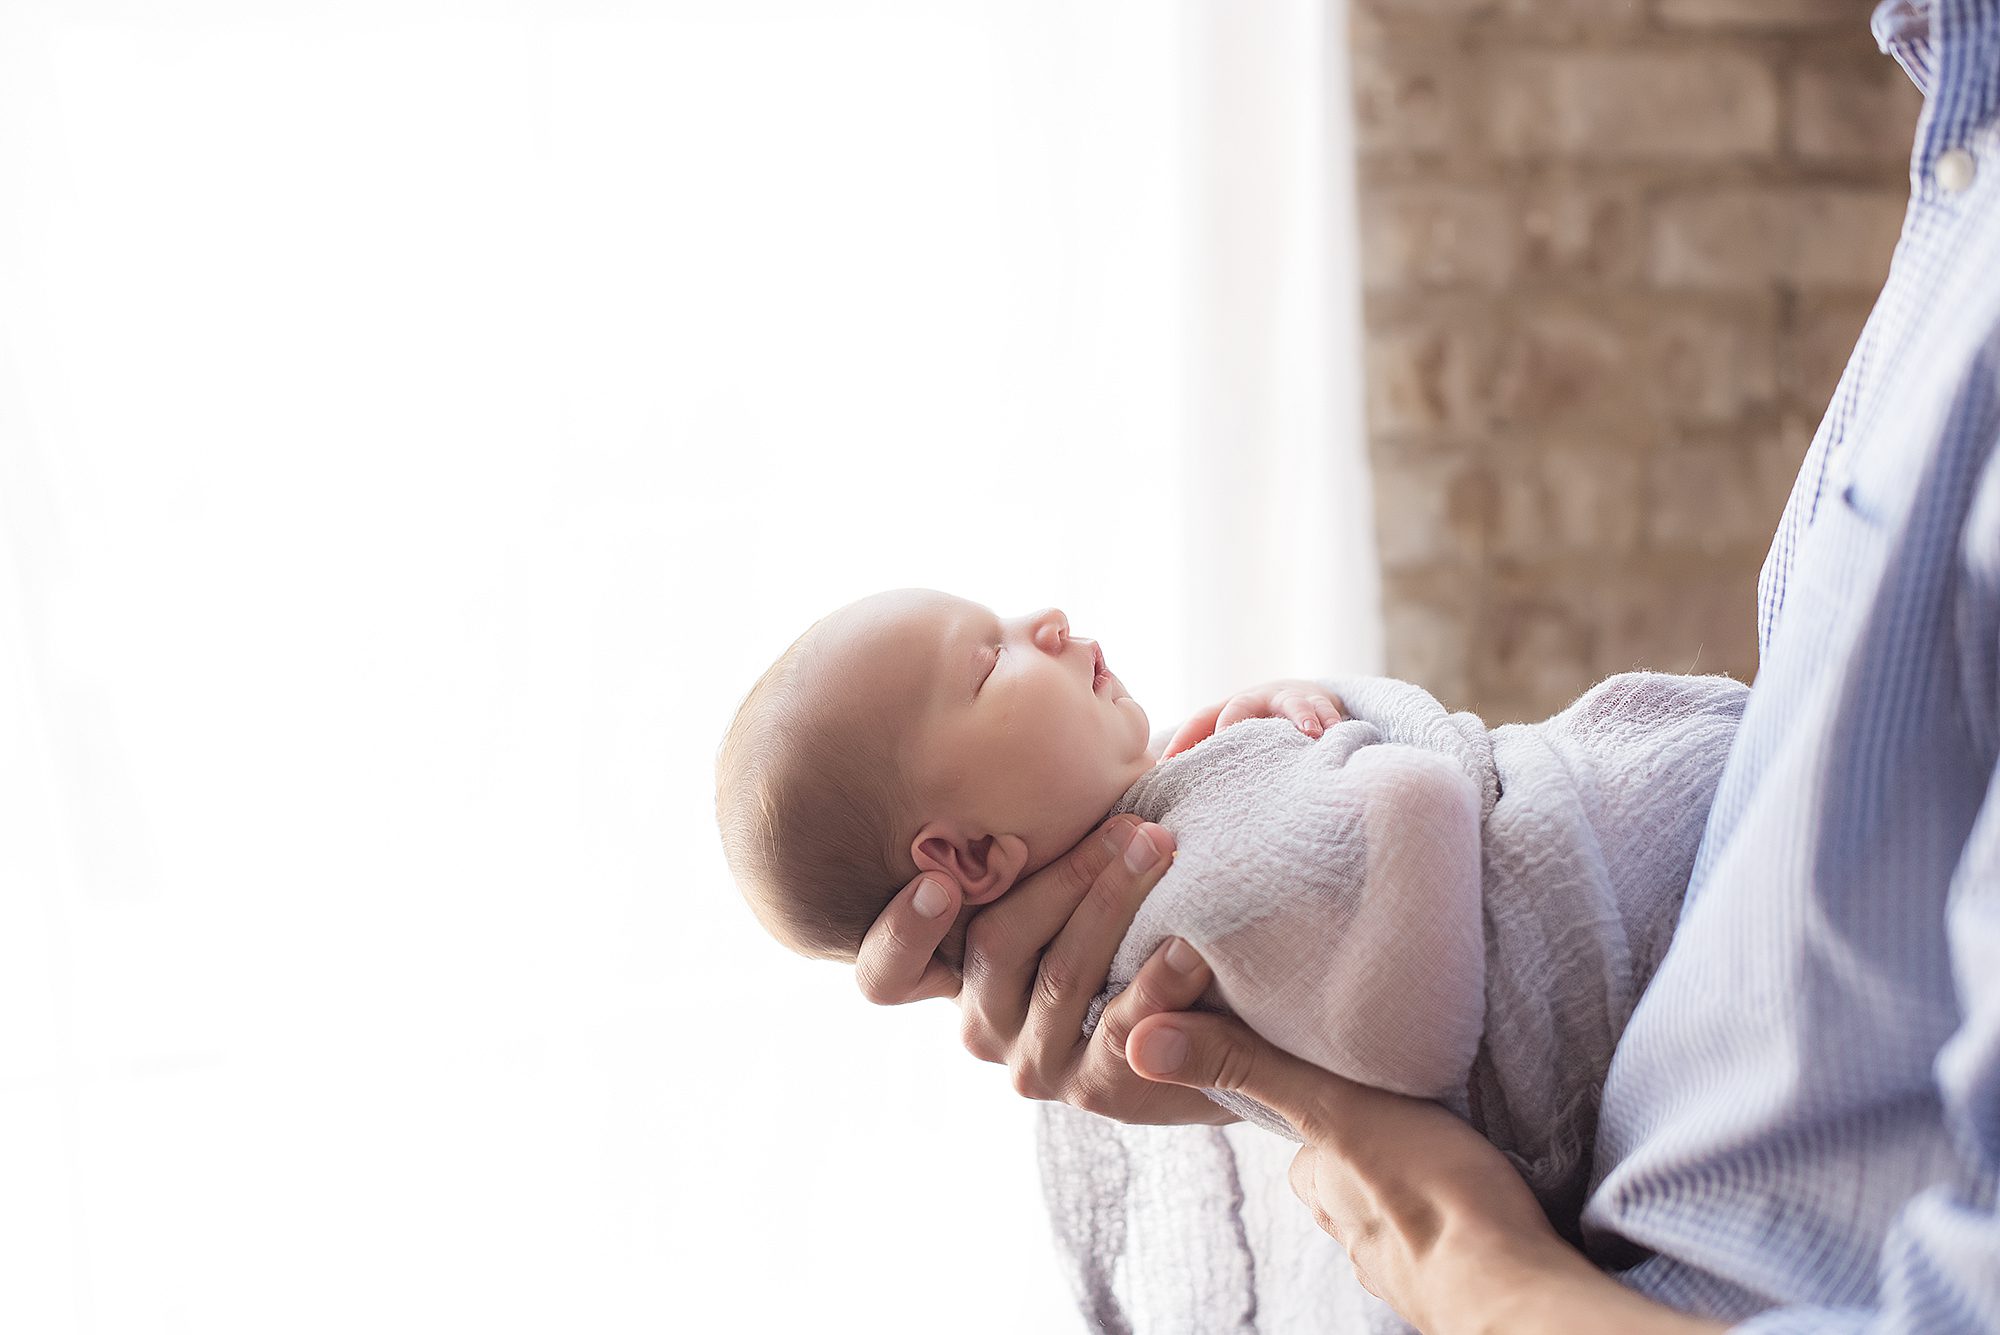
{"points": [[1941, 1262]]}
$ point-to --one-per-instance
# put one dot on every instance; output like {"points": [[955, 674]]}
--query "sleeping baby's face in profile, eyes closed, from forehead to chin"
{"points": [[1015, 724]]}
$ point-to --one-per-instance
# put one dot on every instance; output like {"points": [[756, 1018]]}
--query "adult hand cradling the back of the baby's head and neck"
{"points": [[1035, 960]]}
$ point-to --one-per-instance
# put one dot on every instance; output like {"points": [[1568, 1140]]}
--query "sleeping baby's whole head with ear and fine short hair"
{"points": [[917, 732]]}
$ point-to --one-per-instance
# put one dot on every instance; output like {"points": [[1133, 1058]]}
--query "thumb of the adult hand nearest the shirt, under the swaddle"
{"points": [[1215, 1052]]}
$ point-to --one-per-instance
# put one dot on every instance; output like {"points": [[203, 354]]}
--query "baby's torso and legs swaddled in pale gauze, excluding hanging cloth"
{"points": [[1441, 910]]}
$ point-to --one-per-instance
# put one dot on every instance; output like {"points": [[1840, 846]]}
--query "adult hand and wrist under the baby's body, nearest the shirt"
{"points": [[1437, 1222]]}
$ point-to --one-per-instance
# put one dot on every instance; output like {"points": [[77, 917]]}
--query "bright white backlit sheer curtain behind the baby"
{"points": [[419, 425]]}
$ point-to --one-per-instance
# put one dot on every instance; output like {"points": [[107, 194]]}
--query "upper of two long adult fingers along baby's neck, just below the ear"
{"points": [[1007, 940]]}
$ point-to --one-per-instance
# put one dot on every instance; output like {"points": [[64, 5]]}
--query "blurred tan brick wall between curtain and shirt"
{"points": [[1615, 255]]}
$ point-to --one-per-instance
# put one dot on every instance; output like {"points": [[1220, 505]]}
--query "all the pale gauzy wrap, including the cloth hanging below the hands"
{"points": [[1411, 900]]}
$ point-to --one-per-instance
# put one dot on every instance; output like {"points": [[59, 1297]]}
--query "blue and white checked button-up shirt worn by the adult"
{"points": [[1801, 1128]]}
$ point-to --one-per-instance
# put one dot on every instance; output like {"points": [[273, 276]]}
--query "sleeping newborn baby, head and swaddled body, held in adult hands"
{"points": [[1409, 900]]}
